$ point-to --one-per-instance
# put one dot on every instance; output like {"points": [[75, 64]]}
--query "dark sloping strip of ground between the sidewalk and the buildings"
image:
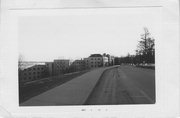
{"points": [[33, 89]]}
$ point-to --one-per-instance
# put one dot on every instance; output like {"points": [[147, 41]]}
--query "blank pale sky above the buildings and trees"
{"points": [[77, 35]]}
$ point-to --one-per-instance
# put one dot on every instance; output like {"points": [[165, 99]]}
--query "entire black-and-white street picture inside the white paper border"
{"points": [[93, 57]]}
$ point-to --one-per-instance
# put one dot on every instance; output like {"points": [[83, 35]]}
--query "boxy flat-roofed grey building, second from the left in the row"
{"points": [[60, 66]]}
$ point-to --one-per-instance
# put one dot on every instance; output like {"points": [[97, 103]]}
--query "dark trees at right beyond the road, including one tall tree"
{"points": [[145, 52]]}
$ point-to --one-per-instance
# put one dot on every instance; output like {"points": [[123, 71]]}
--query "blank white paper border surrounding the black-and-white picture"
{"points": [[167, 71]]}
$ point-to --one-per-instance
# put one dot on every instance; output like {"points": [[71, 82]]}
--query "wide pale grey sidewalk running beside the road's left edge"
{"points": [[74, 92]]}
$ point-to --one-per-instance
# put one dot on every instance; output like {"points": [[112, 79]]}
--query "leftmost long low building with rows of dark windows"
{"points": [[34, 72]]}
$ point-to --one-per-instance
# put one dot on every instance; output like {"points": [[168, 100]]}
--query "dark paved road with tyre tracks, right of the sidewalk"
{"points": [[124, 85]]}
